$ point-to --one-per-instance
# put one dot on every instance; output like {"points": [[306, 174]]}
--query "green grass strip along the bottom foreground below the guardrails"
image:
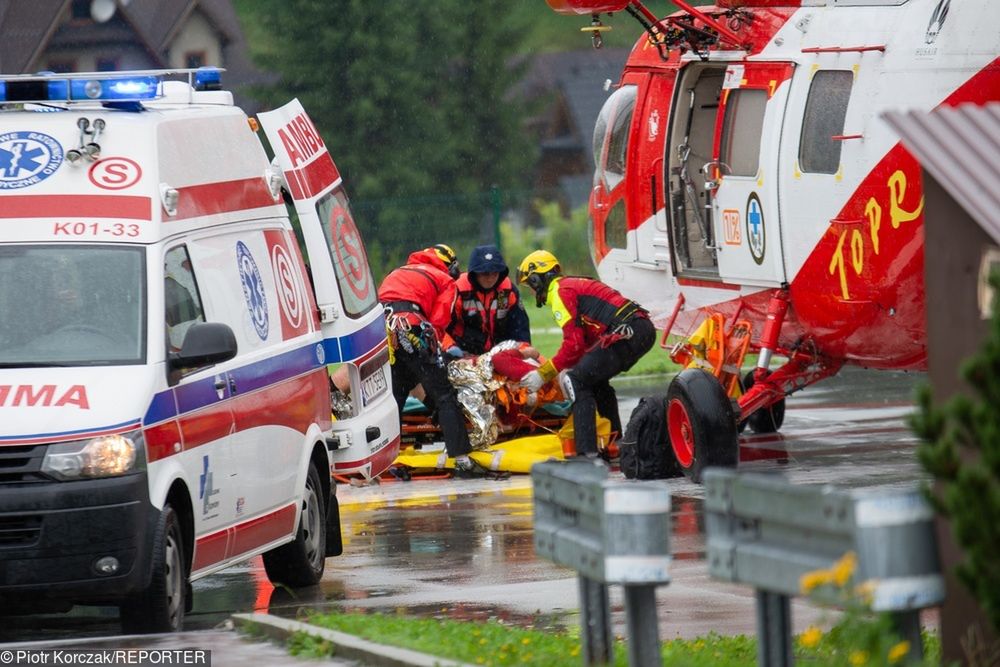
{"points": [[493, 643]]}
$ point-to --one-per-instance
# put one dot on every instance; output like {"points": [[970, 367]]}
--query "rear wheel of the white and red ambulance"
{"points": [[300, 562]]}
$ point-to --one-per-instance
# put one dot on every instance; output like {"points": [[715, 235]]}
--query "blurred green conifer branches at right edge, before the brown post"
{"points": [[961, 449]]}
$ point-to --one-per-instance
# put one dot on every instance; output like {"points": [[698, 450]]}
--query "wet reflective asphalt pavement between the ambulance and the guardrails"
{"points": [[463, 548]]}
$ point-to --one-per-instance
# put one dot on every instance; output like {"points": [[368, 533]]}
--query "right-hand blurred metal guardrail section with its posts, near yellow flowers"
{"points": [[766, 532]]}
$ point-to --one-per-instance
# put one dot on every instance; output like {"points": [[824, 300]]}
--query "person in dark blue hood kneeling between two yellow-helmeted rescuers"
{"points": [[489, 308]]}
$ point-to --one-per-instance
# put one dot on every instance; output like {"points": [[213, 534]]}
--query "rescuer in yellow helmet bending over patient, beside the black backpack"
{"points": [[603, 334]]}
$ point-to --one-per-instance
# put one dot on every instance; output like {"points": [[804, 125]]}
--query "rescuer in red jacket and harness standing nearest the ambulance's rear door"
{"points": [[419, 299]]}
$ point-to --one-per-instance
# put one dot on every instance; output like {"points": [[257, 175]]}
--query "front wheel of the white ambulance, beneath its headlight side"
{"points": [[161, 607]]}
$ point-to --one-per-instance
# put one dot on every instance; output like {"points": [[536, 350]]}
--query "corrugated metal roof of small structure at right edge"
{"points": [[959, 147]]}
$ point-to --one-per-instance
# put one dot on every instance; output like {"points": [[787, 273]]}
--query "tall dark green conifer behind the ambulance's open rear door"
{"points": [[412, 100]]}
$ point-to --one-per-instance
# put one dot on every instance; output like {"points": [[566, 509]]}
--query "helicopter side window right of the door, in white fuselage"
{"points": [[826, 108]]}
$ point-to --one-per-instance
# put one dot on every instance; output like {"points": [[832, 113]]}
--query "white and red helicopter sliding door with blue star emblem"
{"points": [[745, 168]]}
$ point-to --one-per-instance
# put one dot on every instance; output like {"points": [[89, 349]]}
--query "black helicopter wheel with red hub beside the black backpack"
{"points": [[701, 426]]}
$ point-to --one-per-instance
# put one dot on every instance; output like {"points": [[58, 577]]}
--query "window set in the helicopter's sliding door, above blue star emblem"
{"points": [[741, 131]]}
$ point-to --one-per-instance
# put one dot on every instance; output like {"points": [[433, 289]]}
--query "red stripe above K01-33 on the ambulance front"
{"points": [[124, 207]]}
